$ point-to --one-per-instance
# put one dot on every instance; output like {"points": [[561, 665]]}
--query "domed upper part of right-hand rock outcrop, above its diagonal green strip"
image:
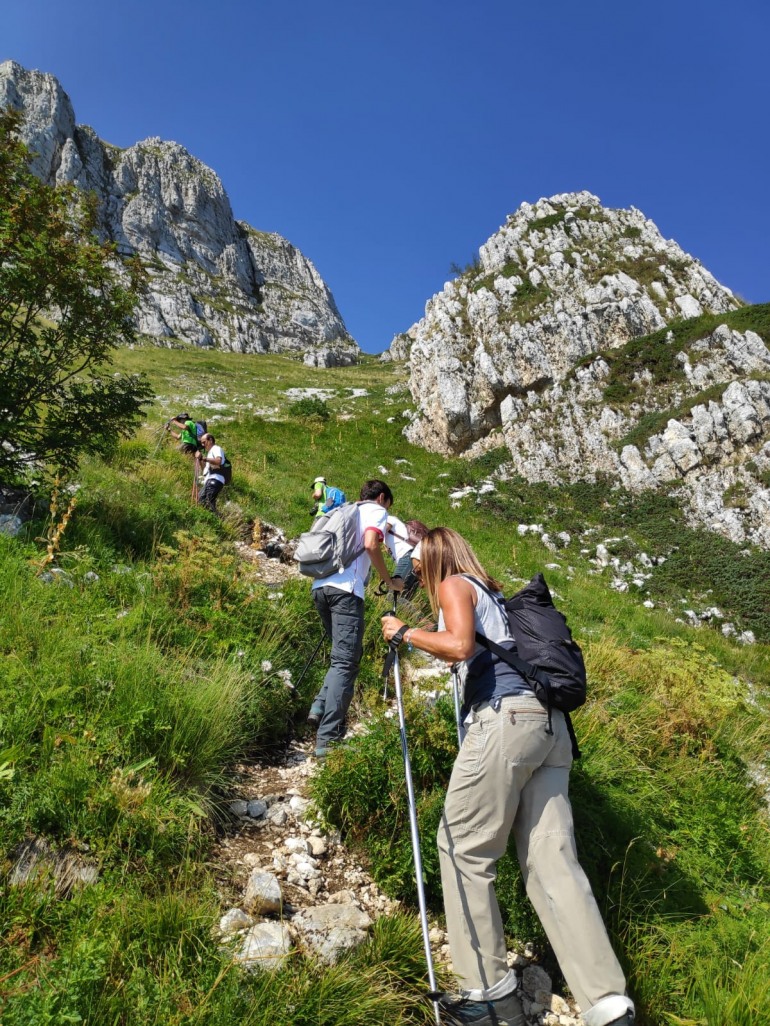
{"points": [[562, 280]]}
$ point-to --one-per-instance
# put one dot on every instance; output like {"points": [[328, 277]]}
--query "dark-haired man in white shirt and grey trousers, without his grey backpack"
{"points": [[339, 600]]}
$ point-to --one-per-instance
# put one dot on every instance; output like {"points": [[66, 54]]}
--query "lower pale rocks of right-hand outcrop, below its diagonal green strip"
{"points": [[715, 452]]}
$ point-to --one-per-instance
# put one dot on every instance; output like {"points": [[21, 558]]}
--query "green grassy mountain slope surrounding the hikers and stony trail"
{"points": [[126, 699]]}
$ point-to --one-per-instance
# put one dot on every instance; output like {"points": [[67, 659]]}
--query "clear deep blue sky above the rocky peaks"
{"points": [[389, 141]]}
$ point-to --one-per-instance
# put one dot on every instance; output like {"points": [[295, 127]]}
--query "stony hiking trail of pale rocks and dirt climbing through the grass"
{"points": [[287, 883]]}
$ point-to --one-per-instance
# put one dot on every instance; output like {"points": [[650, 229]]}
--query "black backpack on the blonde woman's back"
{"points": [[547, 656]]}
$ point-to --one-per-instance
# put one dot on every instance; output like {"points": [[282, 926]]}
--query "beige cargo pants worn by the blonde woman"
{"points": [[510, 774]]}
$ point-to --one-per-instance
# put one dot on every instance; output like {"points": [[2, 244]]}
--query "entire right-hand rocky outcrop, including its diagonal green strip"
{"points": [[595, 349]]}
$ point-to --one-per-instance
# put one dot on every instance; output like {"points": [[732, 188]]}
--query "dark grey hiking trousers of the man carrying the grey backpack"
{"points": [[342, 616]]}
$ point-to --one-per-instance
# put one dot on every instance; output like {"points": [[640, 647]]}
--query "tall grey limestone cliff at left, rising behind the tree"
{"points": [[214, 282]]}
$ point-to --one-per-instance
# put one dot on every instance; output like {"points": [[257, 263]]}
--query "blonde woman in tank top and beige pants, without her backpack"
{"points": [[511, 774]]}
